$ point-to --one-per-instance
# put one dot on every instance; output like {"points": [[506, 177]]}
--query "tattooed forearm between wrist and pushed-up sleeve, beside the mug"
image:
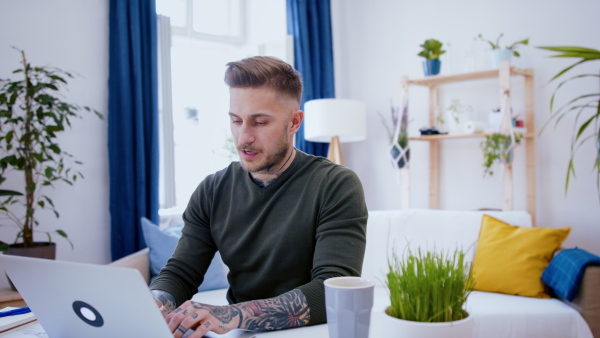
{"points": [[282, 312]]}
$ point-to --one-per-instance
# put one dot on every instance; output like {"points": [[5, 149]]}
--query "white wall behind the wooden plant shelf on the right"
{"points": [[376, 42]]}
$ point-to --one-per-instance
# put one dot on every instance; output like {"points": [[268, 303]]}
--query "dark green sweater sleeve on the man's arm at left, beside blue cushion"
{"points": [[185, 269]]}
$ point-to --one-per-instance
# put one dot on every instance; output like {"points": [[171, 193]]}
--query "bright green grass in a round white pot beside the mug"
{"points": [[428, 291]]}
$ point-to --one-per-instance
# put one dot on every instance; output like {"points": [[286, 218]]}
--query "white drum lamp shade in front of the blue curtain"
{"points": [[326, 118]]}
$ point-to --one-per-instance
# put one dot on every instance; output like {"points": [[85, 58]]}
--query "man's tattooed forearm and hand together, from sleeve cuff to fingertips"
{"points": [[285, 311]]}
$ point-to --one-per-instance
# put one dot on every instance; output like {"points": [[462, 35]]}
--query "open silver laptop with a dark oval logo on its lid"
{"points": [[74, 300]]}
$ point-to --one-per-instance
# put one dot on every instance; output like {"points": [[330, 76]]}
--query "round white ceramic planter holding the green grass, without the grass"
{"points": [[394, 327]]}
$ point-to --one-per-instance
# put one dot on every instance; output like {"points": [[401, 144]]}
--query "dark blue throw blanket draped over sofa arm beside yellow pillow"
{"points": [[565, 272]]}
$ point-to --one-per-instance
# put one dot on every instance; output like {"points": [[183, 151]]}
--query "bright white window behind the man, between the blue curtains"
{"points": [[204, 35]]}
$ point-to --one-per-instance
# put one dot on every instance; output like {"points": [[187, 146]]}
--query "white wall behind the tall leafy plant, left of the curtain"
{"points": [[71, 35]]}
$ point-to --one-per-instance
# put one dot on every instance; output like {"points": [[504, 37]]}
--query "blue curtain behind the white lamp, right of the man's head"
{"points": [[309, 21]]}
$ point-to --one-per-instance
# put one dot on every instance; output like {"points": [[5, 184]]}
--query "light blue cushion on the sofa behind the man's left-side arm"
{"points": [[162, 244]]}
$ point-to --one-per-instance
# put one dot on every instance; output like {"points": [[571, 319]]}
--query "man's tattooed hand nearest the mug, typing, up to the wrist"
{"points": [[203, 318]]}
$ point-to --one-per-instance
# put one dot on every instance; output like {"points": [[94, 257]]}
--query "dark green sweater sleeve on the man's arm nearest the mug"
{"points": [[340, 237]]}
